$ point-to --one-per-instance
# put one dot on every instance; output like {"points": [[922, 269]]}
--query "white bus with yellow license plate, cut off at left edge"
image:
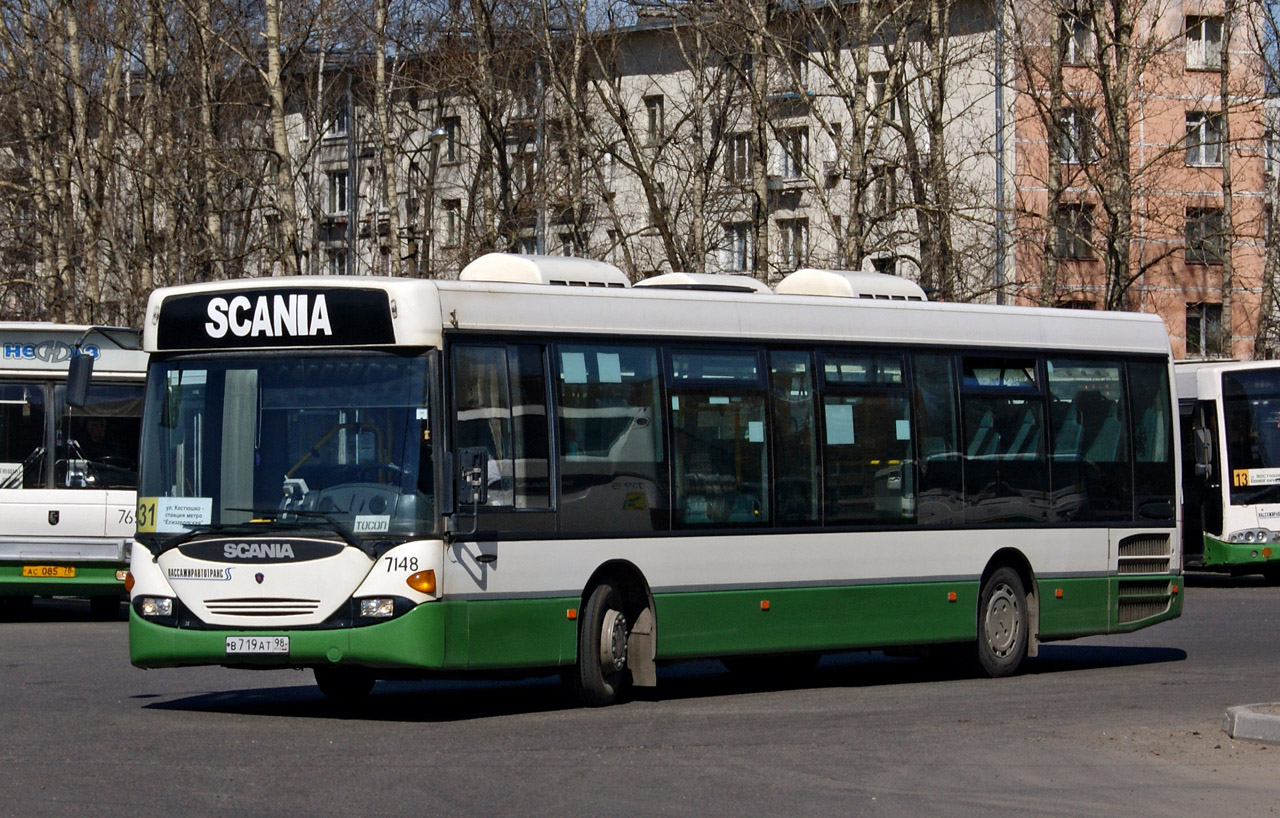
{"points": [[67, 473]]}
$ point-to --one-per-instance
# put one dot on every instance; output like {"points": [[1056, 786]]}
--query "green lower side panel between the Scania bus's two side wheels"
{"points": [[815, 619]]}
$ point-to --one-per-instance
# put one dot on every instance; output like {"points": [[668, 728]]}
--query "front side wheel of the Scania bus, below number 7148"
{"points": [[602, 673]]}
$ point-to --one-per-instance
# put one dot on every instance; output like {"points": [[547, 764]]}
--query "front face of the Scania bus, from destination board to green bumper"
{"points": [[286, 504]]}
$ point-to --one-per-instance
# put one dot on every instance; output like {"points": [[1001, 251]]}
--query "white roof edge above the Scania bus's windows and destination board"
{"points": [[424, 310]]}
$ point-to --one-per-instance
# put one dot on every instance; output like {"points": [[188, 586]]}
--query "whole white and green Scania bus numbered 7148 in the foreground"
{"points": [[542, 468]]}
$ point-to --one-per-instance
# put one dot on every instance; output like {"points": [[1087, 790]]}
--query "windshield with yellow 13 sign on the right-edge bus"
{"points": [[1251, 404]]}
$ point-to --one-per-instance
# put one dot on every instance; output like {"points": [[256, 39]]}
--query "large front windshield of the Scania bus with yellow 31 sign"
{"points": [[344, 437]]}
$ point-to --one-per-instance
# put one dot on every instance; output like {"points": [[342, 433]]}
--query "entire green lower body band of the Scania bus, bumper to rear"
{"points": [[543, 633]]}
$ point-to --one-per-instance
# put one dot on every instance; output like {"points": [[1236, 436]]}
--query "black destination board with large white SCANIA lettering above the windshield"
{"points": [[277, 318]]}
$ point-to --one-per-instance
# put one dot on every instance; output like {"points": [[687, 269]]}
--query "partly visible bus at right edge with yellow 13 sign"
{"points": [[1231, 428]]}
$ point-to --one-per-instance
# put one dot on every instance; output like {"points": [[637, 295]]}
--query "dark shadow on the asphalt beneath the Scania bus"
{"points": [[451, 701]]}
